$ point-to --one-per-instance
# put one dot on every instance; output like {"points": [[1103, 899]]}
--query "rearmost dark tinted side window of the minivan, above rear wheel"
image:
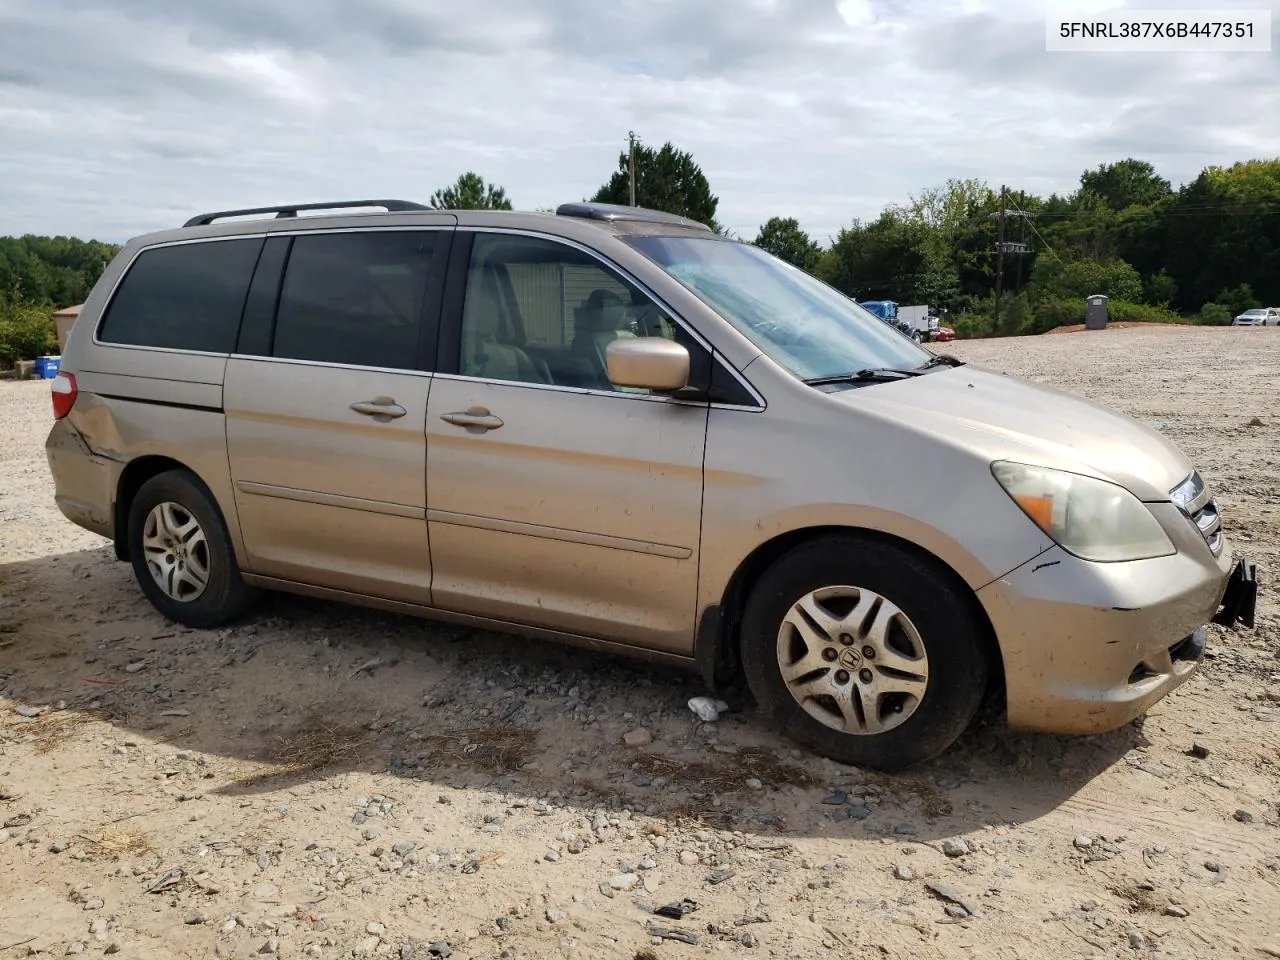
{"points": [[184, 298]]}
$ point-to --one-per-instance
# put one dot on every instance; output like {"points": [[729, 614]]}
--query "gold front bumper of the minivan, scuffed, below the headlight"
{"points": [[1090, 647]]}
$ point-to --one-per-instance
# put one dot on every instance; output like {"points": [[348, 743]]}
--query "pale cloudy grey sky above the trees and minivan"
{"points": [[120, 117]]}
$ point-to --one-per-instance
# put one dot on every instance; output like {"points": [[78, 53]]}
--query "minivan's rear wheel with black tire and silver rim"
{"points": [[182, 555]]}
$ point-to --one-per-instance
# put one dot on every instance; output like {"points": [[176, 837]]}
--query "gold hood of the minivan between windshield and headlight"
{"points": [[1004, 418]]}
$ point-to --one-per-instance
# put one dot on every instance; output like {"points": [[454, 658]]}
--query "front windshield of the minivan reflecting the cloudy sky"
{"points": [[801, 323]]}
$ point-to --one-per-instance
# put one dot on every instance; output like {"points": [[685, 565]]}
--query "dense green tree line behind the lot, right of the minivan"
{"points": [[1203, 253]]}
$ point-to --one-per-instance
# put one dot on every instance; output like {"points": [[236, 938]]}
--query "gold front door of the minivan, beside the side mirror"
{"points": [[555, 499]]}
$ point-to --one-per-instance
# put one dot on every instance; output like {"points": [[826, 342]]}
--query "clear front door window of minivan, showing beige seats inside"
{"points": [[541, 312]]}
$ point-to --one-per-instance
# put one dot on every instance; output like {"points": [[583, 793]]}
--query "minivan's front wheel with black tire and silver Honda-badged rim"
{"points": [[865, 653]]}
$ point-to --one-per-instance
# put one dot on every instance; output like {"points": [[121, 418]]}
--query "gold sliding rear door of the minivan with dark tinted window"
{"points": [[326, 420]]}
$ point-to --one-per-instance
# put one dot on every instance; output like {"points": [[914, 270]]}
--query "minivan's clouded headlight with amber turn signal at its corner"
{"points": [[1092, 519]]}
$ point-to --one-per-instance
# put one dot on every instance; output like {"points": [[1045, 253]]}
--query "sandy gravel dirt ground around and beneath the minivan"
{"points": [[326, 781]]}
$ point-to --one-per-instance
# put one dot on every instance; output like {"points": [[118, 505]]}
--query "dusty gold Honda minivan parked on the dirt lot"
{"points": [[612, 427]]}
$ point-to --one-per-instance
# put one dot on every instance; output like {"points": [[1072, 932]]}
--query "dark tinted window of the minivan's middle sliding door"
{"points": [[356, 299]]}
